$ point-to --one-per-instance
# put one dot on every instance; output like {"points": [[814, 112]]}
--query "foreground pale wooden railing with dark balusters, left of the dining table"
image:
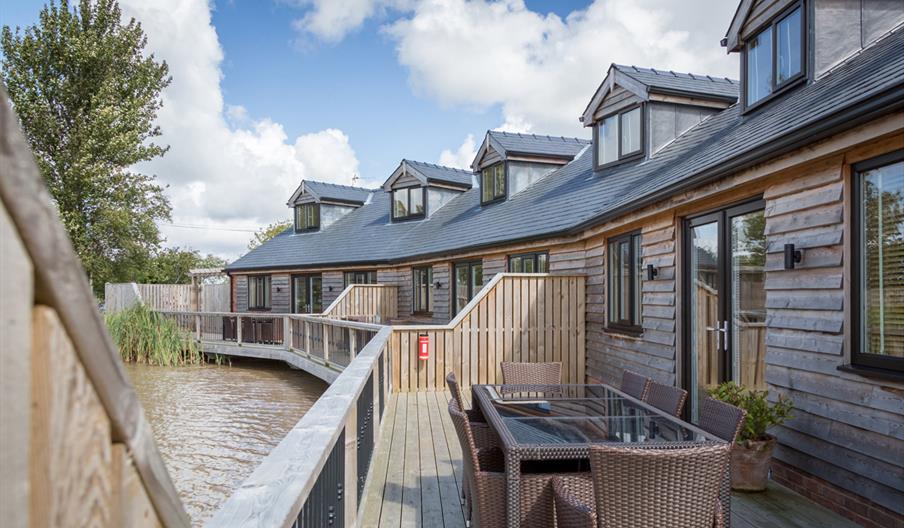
{"points": [[316, 475]]}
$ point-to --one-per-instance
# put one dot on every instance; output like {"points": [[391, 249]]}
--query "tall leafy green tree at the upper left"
{"points": [[87, 97]]}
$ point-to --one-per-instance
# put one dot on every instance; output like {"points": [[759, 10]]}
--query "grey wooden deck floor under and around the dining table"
{"points": [[417, 473]]}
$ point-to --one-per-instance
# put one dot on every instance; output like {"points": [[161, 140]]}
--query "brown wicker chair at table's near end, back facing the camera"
{"points": [[639, 488]]}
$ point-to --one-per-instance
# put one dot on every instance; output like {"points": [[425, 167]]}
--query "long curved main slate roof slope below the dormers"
{"points": [[574, 196]]}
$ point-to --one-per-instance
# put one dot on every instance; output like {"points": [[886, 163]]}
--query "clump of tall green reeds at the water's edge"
{"points": [[145, 336]]}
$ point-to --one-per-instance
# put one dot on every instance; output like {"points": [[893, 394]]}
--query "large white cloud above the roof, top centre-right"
{"points": [[542, 69]]}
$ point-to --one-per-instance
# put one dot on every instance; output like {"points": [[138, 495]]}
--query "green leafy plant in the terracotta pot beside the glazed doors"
{"points": [[761, 413]]}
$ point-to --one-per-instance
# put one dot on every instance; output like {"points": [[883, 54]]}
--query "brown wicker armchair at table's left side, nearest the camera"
{"points": [[484, 471]]}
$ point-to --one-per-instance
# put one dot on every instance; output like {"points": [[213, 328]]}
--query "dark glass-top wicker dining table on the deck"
{"points": [[561, 422]]}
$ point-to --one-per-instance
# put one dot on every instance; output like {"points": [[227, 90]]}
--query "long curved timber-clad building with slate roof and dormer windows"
{"points": [[745, 230]]}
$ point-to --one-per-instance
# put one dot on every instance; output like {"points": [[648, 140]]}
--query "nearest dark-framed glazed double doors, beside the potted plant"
{"points": [[725, 300]]}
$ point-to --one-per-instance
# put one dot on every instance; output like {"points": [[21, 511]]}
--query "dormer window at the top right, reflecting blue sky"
{"points": [[774, 57]]}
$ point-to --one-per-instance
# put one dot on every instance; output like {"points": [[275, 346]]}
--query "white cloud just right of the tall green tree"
{"points": [[224, 169]]}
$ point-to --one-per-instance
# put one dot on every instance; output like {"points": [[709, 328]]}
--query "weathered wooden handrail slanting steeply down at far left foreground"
{"points": [[61, 283]]}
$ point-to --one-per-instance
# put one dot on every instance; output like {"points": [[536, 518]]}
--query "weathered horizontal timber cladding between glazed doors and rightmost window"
{"points": [[846, 429]]}
